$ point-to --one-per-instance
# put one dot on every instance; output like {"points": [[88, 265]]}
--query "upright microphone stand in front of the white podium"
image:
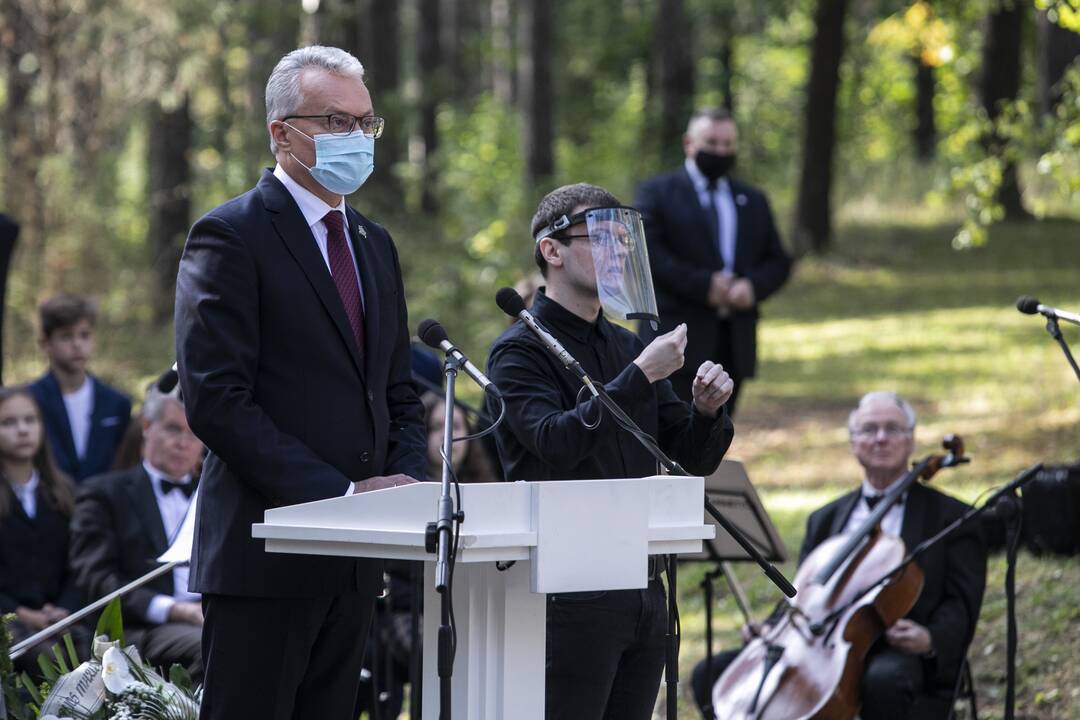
{"points": [[439, 539]]}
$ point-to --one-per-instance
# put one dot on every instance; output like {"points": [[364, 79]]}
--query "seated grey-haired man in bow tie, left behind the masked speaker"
{"points": [[124, 522]]}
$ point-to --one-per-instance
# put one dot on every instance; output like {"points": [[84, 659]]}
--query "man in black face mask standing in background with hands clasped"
{"points": [[715, 253]]}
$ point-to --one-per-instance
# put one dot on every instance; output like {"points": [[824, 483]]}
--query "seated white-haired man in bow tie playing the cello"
{"points": [[922, 653]]}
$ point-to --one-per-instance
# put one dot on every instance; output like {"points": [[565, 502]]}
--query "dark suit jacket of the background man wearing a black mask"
{"points": [[684, 259]]}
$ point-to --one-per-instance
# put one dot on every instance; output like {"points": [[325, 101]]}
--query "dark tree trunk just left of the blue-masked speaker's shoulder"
{"points": [[169, 198]]}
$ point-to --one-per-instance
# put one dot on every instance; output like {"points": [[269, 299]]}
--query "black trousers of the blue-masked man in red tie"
{"points": [[283, 659]]}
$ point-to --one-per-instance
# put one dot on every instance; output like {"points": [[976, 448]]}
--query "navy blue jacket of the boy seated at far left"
{"points": [[109, 422]]}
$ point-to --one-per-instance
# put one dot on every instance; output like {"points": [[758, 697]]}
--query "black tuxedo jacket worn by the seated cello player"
{"points": [[955, 572]]}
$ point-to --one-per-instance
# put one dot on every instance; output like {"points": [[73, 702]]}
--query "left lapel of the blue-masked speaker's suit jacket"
{"points": [[294, 232]]}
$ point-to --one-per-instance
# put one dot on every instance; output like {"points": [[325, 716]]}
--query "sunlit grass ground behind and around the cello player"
{"points": [[898, 309]]}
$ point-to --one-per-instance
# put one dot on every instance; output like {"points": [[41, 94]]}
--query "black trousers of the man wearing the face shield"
{"points": [[605, 654]]}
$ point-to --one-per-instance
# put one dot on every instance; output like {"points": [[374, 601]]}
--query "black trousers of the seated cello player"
{"points": [[893, 681]]}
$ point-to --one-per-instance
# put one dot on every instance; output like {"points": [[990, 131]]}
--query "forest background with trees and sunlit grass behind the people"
{"points": [[922, 160]]}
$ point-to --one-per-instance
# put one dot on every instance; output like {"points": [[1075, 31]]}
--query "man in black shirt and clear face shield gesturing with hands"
{"points": [[605, 650]]}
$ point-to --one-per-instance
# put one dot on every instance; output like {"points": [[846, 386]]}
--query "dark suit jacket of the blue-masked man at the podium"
{"points": [[277, 389]]}
